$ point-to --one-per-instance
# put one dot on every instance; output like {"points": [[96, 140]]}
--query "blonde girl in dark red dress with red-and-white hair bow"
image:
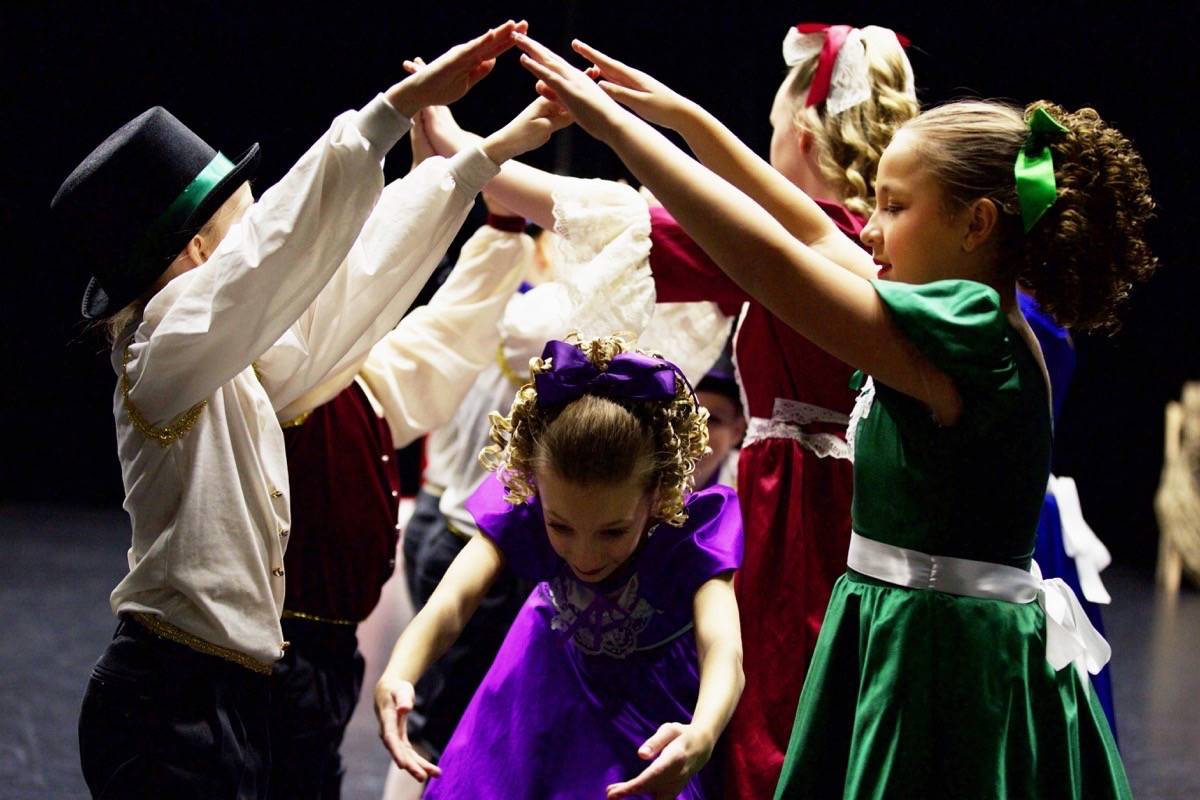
{"points": [[847, 93]]}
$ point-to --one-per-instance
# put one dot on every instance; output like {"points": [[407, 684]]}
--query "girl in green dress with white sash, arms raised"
{"points": [[937, 673]]}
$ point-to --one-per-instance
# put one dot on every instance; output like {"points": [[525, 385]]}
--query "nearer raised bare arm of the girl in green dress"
{"points": [[832, 306]]}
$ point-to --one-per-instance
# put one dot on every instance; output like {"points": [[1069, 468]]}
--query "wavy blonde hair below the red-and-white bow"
{"points": [[849, 145]]}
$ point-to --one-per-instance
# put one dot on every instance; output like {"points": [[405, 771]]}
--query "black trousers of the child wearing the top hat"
{"points": [[160, 720]]}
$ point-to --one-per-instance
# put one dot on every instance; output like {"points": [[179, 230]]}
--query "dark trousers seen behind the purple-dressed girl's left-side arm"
{"points": [[448, 685]]}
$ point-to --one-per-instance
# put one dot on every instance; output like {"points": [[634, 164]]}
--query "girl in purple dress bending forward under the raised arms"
{"points": [[625, 665]]}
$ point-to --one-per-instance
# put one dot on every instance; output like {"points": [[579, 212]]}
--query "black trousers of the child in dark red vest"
{"points": [[315, 689]]}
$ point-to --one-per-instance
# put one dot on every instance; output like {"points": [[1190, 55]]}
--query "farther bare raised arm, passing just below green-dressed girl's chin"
{"points": [[727, 155]]}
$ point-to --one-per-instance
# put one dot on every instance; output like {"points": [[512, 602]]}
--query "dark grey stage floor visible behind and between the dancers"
{"points": [[58, 567]]}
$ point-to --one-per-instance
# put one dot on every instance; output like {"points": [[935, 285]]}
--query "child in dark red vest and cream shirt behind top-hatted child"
{"points": [[346, 494]]}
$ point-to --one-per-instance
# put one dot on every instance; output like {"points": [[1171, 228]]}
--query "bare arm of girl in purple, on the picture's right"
{"points": [[679, 751]]}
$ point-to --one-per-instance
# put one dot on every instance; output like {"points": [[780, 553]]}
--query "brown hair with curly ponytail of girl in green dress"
{"points": [[1089, 250]]}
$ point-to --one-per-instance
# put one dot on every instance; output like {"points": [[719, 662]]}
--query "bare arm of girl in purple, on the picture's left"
{"points": [[431, 633]]}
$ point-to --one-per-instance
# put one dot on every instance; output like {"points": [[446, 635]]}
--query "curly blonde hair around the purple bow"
{"points": [[602, 441]]}
